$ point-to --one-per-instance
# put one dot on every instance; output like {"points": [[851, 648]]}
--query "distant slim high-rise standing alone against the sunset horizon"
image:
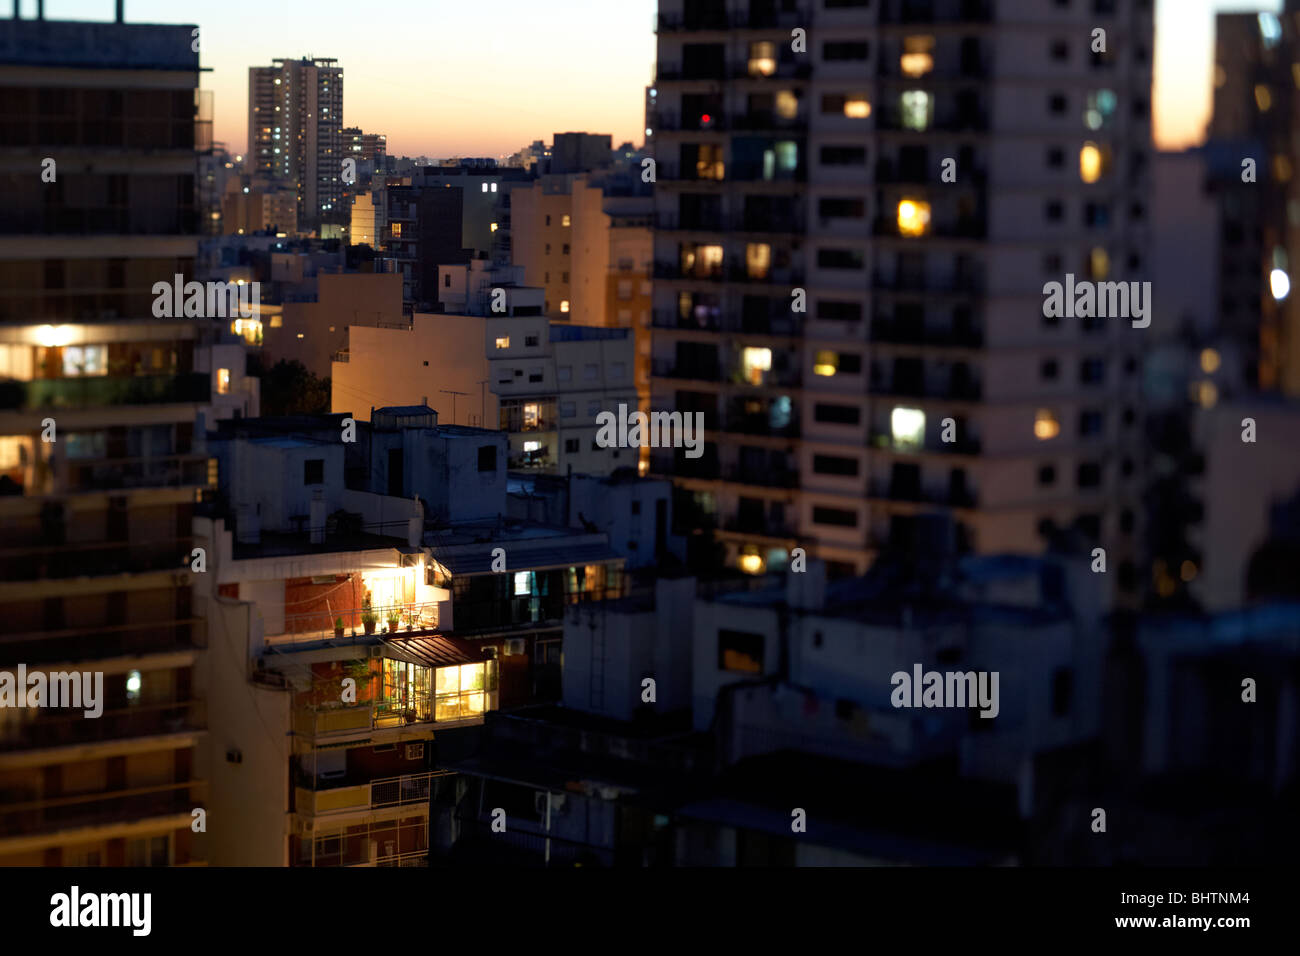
{"points": [[296, 120]]}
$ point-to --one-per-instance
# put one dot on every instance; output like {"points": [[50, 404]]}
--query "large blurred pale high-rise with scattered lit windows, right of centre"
{"points": [[853, 237]]}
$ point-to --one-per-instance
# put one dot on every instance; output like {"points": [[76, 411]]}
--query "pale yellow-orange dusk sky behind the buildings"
{"points": [[486, 77]]}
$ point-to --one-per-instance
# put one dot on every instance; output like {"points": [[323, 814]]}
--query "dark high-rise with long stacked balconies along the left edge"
{"points": [[101, 464]]}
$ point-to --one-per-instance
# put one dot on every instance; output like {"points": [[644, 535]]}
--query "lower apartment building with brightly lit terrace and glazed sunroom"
{"points": [[387, 563]]}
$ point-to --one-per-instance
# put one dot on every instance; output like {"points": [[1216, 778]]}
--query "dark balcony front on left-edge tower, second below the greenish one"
{"points": [[92, 560]]}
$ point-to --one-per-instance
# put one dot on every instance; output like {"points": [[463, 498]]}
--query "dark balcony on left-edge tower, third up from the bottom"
{"points": [[105, 642]]}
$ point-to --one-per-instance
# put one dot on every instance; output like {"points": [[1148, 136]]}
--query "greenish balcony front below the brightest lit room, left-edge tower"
{"points": [[98, 392]]}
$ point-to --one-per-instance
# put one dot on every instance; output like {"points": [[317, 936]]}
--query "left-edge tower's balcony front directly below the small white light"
{"points": [[40, 729]]}
